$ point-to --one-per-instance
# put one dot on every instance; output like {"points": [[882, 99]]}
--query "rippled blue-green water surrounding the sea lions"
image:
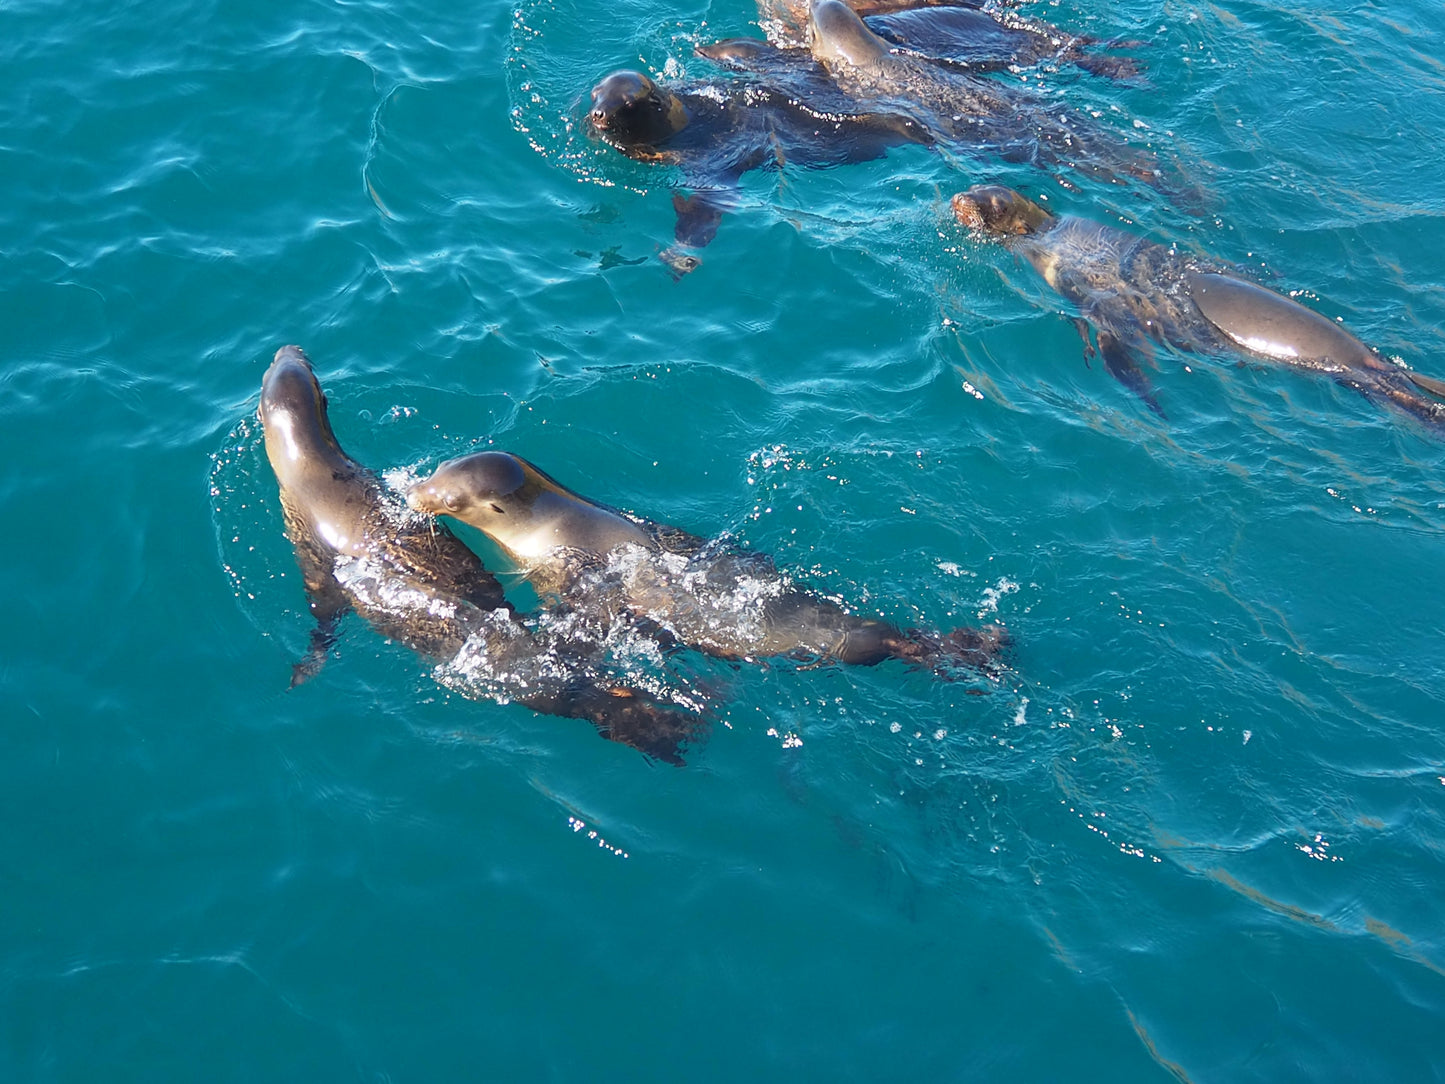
{"points": [[1197, 833]]}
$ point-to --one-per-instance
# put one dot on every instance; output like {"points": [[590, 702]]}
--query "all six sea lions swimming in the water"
{"points": [[834, 83]]}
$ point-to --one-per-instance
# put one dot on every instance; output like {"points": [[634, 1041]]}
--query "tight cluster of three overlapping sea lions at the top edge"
{"points": [[850, 93]]}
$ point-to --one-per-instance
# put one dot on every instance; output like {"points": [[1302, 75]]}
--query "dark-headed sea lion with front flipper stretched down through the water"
{"points": [[716, 132]]}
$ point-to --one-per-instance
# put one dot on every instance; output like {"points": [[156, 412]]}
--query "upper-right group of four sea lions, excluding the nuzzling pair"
{"points": [[849, 79]]}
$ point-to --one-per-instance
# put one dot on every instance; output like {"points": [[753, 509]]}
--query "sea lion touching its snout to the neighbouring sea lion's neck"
{"points": [[703, 595]]}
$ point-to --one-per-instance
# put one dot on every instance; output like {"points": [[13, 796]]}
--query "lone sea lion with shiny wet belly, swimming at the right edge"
{"points": [[1135, 293]]}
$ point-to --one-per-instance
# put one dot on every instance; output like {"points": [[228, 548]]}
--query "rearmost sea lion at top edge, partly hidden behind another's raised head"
{"points": [[975, 35]]}
